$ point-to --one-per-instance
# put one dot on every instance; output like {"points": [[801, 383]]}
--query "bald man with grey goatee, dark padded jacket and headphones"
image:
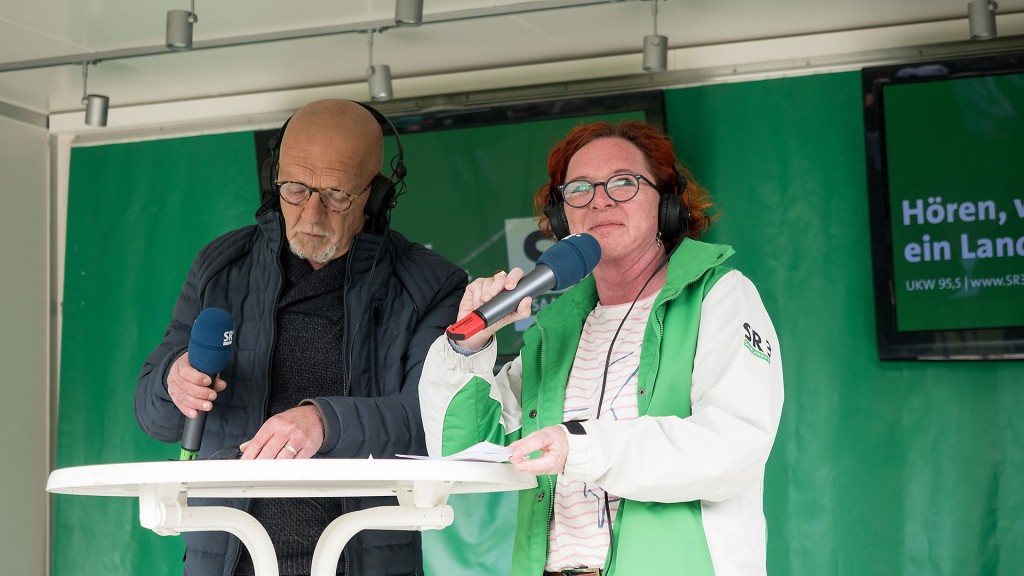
{"points": [[333, 315]]}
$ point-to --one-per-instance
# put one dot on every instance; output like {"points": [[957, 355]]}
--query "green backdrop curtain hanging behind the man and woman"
{"points": [[879, 469]]}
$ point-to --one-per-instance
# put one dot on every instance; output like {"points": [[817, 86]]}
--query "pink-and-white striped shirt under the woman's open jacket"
{"points": [[579, 536]]}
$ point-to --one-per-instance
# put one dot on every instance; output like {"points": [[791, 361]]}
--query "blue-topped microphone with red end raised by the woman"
{"points": [[567, 263]]}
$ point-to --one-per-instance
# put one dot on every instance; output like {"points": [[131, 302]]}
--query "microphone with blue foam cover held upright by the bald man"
{"points": [[209, 347]]}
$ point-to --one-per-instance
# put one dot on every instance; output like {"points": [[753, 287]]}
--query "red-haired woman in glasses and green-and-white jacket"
{"points": [[649, 395]]}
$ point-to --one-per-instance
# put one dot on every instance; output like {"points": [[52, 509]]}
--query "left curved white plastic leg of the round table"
{"points": [[164, 510]]}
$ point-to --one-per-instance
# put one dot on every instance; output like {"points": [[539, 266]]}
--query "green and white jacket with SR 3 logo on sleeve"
{"points": [[690, 471]]}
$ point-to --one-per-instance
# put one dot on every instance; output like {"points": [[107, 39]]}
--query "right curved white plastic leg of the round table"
{"points": [[339, 532]]}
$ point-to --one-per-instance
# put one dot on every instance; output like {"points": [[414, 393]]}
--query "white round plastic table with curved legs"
{"points": [[163, 489]]}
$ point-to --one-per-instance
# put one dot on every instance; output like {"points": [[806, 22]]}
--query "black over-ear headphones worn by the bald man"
{"points": [[385, 191]]}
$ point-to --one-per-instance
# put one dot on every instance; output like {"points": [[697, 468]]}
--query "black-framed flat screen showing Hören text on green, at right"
{"points": [[946, 177]]}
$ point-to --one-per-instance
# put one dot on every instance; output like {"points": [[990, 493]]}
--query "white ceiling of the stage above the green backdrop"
{"points": [[458, 38]]}
